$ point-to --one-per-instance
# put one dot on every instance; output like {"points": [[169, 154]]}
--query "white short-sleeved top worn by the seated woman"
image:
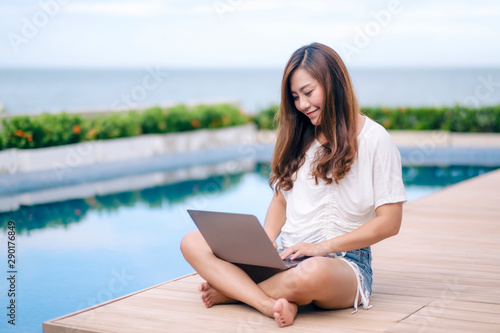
{"points": [[315, 213]]}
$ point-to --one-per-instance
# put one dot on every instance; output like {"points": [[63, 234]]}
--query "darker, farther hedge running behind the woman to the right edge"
{"points": [[454, 119]]}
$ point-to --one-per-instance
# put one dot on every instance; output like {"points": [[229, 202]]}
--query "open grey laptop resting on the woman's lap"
{"points": [[241, 240]]}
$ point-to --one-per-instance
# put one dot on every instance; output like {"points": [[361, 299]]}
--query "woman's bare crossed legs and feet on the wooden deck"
{"points": [[326, 282]]}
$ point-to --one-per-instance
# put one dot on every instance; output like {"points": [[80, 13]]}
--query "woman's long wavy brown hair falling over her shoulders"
{"points": [[295, 131]]}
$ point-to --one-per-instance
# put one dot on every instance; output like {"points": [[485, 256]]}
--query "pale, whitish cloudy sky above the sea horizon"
{"points": [[245, 33]]}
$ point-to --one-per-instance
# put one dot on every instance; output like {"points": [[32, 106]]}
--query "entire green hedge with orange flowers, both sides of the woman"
{"points": [[49, 130]]}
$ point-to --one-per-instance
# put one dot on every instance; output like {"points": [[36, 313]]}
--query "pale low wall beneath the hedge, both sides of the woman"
{"points": [[60, 158]]}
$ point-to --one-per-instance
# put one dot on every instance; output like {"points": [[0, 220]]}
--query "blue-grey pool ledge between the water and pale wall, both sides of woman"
{"points": [[42, 187]]}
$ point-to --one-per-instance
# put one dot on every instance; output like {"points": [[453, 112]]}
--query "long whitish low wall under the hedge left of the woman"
{"points": [[89, 153]]}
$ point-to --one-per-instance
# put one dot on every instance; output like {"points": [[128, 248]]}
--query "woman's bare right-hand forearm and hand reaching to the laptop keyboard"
{"points": [[386, 224]]}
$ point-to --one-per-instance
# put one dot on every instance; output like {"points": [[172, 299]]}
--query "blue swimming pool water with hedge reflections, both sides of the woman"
{"points": [[77, 253]]}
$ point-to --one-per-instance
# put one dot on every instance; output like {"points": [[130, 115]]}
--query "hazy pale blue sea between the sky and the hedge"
{"points": [[36, 90]]}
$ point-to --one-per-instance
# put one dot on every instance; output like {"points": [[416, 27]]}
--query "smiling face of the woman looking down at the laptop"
{"points": [[308, 94]]}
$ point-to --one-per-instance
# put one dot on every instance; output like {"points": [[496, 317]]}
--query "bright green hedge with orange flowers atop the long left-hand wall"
{"points": [[49, 130]]}
